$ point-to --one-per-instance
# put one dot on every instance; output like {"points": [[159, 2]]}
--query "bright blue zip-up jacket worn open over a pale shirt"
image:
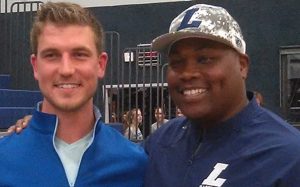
{"points": [[30, 159]]}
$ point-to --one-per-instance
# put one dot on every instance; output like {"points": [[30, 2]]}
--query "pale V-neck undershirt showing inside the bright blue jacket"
{"points": [[71, 154]]}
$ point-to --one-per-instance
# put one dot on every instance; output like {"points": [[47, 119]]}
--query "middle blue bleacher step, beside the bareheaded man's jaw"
{"points": [[19, 98]]}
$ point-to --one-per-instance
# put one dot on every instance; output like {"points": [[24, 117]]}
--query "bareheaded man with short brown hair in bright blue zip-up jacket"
{"points": [[66, 143]]}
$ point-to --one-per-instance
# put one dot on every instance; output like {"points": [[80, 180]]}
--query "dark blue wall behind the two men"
{"points": [[266, 25]]}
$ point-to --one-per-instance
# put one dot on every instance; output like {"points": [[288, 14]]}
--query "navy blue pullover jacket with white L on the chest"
{"points": [[256, 148]]}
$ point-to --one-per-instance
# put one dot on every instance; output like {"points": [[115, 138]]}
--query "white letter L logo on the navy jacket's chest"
{"points": [[212, 180]]}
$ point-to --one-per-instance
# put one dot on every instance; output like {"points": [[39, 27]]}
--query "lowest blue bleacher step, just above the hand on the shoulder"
{"points": [[9, 115]]}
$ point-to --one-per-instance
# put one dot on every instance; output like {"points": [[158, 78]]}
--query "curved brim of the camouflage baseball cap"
{"points": [[165, 41]]}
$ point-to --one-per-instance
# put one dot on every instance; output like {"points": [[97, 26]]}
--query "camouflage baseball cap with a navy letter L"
{"points": [[203, 21]]}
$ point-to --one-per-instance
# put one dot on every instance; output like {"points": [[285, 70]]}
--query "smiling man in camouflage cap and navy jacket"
{"points": [[226, 139]]}
